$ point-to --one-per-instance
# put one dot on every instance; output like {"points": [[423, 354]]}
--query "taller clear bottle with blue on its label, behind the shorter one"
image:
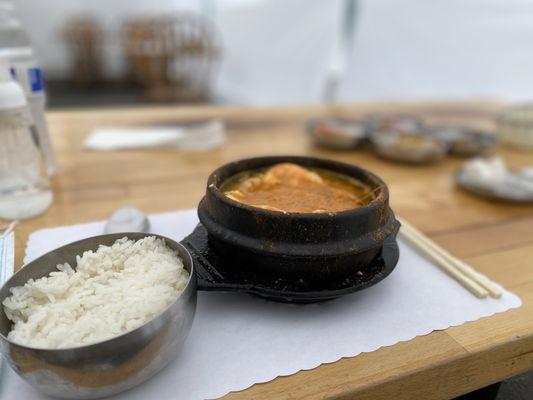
{"points": [[15, 48]]}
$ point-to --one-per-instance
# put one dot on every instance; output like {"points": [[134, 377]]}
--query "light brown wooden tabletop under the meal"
{"points": [[495, 238]]}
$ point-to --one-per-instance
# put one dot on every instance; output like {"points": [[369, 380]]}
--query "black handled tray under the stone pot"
{"points": [[215, 274]]}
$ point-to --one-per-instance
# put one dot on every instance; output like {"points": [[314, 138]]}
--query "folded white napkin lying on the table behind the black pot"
{"points": [[196, 137]]}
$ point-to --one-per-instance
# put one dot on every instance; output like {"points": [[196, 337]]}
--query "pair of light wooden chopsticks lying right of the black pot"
{"points": [[457, 269]]}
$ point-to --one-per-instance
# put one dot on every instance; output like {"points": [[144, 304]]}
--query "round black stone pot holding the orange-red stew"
{"points": [[312, 247]]}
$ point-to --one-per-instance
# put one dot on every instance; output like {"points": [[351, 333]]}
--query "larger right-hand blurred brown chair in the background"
{"points": [[173, 58]]}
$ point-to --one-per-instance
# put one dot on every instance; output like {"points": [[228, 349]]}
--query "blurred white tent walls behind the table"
{"points": [[278, 51]]}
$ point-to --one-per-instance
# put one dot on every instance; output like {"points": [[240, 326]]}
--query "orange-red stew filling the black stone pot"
{"points": [[290, 188]]}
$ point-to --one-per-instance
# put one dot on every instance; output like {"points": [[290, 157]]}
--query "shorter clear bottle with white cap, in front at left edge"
{"points": [[24, 186]]}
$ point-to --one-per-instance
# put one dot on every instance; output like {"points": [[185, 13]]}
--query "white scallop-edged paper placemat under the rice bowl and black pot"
{"points": [[238, 340]]}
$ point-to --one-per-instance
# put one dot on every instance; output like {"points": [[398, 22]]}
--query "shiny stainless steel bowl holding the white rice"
{"points": [[108, 367]]}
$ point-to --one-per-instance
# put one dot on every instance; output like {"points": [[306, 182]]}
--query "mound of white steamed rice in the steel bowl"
{"points": [[112, 291]]}
